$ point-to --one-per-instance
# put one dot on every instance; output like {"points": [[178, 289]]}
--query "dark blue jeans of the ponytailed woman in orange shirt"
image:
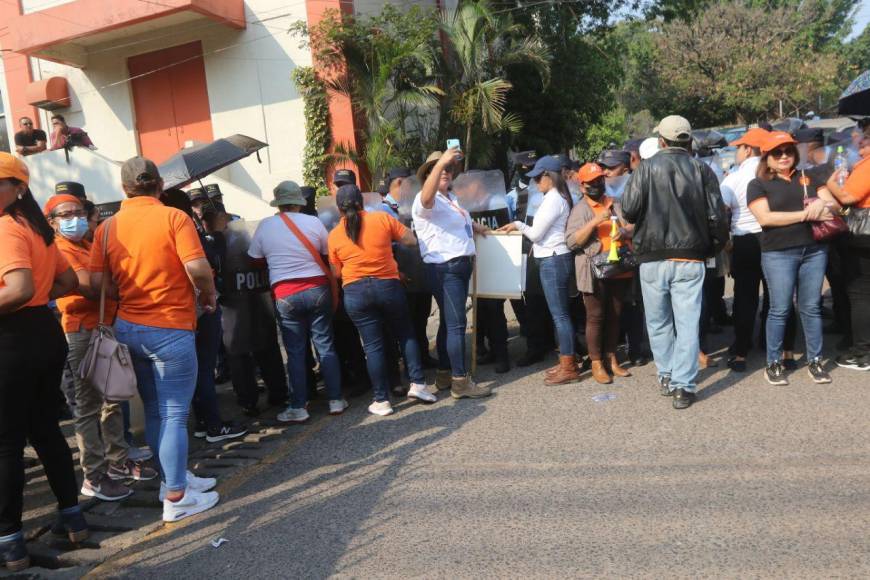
{"points": [[371, 303]]}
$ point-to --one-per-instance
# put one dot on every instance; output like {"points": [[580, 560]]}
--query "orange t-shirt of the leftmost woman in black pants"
{"points": [[24, 249]]}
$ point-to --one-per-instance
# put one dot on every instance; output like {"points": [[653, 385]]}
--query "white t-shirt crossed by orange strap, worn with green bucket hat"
{"points": [[287, 257]]}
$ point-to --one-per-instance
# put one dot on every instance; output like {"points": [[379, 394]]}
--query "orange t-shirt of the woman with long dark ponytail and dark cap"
{"points": [[372, 256]]}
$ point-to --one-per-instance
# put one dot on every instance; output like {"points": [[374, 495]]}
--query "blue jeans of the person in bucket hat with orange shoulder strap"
{"points": [[303, 316]]}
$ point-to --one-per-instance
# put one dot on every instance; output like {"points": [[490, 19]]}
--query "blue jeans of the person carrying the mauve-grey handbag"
{"points": [[165, 364]]}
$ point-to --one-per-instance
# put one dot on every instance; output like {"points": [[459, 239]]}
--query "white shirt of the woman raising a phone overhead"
{"points": [[444, 230]]}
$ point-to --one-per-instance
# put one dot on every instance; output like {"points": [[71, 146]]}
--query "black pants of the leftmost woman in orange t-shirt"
{"points": [[32, 355]]}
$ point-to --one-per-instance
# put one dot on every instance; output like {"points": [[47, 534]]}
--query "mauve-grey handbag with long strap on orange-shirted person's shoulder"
{"points": [[107, 363]]}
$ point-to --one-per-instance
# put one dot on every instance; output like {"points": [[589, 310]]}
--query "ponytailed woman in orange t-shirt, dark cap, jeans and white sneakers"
{"points": [[361, 254]]}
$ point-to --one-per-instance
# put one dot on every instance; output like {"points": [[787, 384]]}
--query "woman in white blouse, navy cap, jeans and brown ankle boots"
{"points": [[554, 258]]}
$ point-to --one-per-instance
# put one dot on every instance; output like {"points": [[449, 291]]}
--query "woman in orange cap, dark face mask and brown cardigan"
{"points": [[588, 234]]}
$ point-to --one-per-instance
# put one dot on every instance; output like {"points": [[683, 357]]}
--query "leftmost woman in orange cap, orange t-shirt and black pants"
{"points": [[32, 356]]}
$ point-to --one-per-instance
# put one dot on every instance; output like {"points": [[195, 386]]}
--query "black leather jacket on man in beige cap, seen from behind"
{"points": [[675, 204]]}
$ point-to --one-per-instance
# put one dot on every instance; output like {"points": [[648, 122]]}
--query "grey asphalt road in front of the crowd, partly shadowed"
{"points": [[537, 481]]}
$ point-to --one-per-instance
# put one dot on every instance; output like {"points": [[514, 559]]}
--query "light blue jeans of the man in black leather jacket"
{"points": [[672, 295]]}
